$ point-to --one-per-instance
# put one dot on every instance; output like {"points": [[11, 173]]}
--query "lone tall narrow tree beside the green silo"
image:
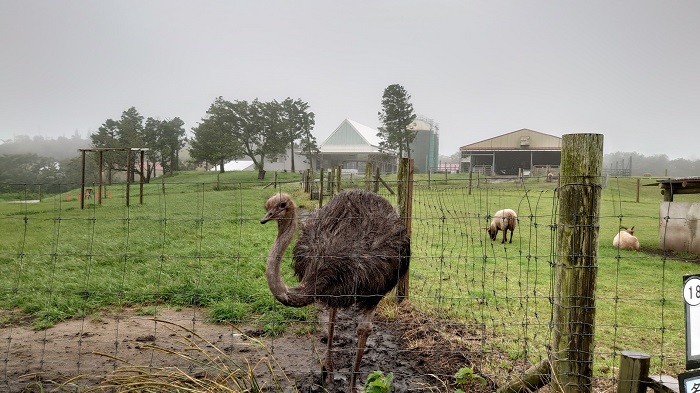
{"points": [[396, 117]]}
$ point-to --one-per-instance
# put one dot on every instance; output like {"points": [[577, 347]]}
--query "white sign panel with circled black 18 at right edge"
{"points": [[691, 295]]}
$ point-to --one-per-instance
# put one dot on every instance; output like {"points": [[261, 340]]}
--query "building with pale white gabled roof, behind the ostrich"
{"points": [[352, 145]]}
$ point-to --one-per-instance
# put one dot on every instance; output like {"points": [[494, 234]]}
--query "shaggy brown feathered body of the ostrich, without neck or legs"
{"points": [[351, 251]]}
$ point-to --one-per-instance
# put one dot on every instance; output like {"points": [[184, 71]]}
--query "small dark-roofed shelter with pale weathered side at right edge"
{"points": [[678, 221]]}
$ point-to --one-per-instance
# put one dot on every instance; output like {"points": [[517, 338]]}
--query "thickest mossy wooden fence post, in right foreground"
{"points": [[576, 264]]}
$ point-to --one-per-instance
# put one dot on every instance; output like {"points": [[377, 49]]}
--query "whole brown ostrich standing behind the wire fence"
{"points": [[350, 252]]}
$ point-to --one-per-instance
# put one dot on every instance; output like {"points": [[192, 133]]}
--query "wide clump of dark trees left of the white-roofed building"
{"points": [[257, 130]]}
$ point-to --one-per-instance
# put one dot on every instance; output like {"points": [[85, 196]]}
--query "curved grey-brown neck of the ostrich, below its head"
{"points": [[289, 297]]}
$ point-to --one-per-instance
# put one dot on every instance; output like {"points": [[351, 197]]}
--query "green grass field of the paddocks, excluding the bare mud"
{"points": [[197, 240]]}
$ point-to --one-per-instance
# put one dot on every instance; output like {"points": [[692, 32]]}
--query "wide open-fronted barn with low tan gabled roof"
{"points": [[507, 154]]}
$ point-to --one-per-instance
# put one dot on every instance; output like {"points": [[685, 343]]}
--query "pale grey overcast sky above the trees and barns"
{"points": [[627, 69]]}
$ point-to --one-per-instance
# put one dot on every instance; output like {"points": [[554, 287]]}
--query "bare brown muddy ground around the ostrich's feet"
{"points": [[422, 355]]}
